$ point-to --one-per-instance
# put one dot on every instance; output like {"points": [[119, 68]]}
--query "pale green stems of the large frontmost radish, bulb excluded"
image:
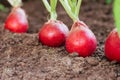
{"points": [[72, 7]]}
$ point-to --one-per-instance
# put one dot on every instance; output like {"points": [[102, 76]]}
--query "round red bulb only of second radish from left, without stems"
{"points": [[53, 33]]}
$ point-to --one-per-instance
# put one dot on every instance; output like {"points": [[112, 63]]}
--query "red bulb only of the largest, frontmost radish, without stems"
{"points": [[81, 40]]}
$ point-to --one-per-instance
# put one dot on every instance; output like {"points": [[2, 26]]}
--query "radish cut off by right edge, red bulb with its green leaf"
{"points": [[112, 43]]}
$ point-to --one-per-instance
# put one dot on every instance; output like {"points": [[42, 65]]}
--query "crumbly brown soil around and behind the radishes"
{"points": [[23, 57]]}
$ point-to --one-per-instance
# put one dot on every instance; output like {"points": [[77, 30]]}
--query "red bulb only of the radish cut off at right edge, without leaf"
{"points": [[112, 46]]}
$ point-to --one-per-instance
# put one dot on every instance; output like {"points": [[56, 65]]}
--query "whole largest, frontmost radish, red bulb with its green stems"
{"points": [[80, 39]]}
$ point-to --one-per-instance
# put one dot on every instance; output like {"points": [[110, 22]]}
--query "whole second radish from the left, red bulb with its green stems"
{"points": [[54, 32]]}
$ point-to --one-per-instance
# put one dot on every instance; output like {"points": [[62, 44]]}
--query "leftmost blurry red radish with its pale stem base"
{"points": [[16, 20]]}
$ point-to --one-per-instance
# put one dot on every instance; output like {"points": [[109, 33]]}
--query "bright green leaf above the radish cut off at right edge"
{"points": [[116, 11]]}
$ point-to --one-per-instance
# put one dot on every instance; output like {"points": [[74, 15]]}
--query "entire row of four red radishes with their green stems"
{"points": [[55, 33]]}
